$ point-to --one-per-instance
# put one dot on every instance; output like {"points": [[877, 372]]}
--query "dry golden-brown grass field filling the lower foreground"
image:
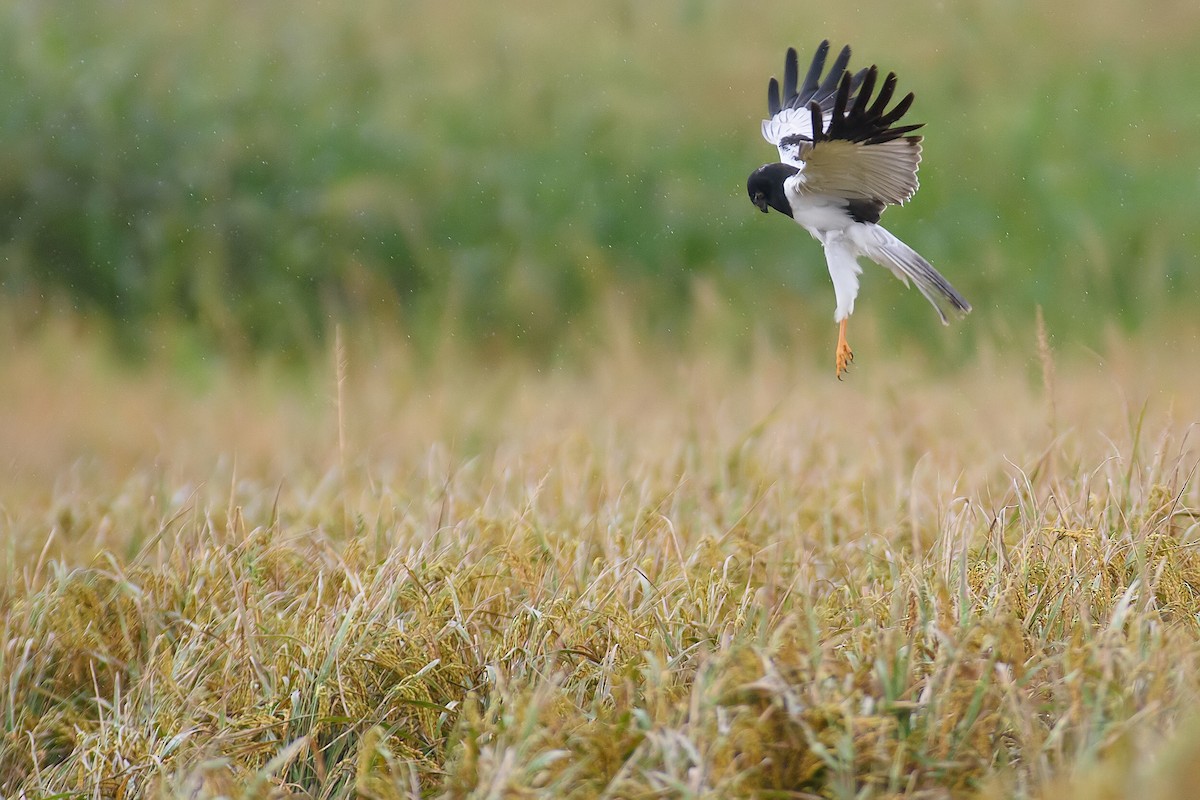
{"points": [[649, 576]]}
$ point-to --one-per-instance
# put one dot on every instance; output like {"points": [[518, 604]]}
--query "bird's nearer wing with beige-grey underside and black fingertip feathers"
{"points": [[857, 152]]}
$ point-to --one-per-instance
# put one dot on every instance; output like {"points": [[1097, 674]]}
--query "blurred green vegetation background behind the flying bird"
{"points": [[509, 175]]}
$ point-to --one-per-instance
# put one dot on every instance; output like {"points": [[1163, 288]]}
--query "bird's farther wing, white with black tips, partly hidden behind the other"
{"points": [[790, 127]]}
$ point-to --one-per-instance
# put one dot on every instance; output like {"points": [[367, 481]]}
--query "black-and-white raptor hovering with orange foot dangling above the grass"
{"points": [[843, 161]]}
